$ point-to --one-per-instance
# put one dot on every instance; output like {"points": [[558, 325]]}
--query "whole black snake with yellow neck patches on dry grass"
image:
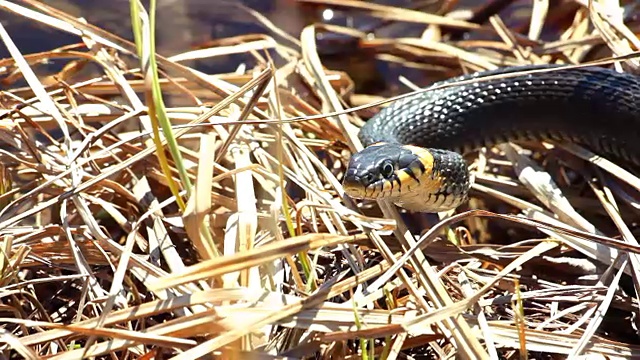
{"points": [[414, 148]]}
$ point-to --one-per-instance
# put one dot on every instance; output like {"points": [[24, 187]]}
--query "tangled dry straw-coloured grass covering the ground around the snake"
{"points": [[236, 240]]}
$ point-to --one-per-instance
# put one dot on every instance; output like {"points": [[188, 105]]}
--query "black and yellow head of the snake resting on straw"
{"points": [[412, 177]]}
